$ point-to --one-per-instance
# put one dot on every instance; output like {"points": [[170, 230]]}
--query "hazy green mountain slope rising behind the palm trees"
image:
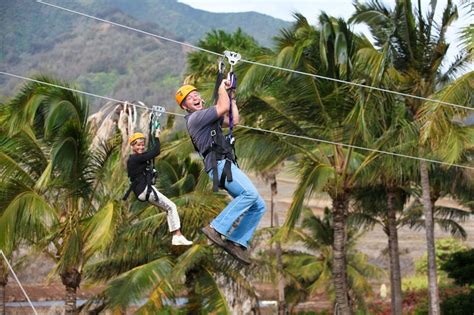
{"points": [[107, 60]]}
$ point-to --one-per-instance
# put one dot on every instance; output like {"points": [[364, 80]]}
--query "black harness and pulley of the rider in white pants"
{"points": [[149, 174]]}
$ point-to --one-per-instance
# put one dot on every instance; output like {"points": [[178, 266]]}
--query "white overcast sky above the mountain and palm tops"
{"points": [[311, 8]]}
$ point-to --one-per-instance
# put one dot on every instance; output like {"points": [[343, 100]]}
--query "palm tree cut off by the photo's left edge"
{"points": [[25, 215]]}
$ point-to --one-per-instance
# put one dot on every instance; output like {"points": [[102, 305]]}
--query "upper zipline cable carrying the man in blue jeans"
{"points": [[255, 62]]}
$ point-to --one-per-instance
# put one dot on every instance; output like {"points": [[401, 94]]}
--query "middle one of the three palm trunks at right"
{"points": [[395, 274]]}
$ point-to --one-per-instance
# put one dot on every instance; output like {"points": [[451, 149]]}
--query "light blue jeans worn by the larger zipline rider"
{"points": [[246, 203]]}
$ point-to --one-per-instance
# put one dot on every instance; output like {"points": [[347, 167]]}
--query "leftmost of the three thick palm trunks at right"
{"points": [[340, 205]]}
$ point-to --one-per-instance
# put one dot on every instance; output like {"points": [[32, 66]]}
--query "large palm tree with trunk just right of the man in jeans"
{"points": [[301, 105]]}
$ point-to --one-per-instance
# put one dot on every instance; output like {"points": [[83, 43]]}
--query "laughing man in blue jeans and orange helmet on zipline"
{"points": [[205, 128]]}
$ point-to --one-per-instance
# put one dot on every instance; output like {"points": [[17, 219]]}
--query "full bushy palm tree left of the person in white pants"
{"points": [[57, 176]]}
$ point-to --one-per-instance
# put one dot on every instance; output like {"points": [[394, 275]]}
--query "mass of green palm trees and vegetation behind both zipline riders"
{"points": [[61, 189]]}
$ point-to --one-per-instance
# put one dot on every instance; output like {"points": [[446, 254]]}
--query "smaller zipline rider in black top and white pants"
{"points": [[141, 174]]}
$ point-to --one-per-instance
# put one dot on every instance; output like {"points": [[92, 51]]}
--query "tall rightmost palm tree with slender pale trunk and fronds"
{"points": [[416, 47]]}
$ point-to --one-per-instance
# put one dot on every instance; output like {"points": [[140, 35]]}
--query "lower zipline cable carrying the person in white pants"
{"points": [[248, 127]]}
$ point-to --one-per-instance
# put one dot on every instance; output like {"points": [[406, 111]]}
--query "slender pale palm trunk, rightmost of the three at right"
{"points": [[430, 241]]}
